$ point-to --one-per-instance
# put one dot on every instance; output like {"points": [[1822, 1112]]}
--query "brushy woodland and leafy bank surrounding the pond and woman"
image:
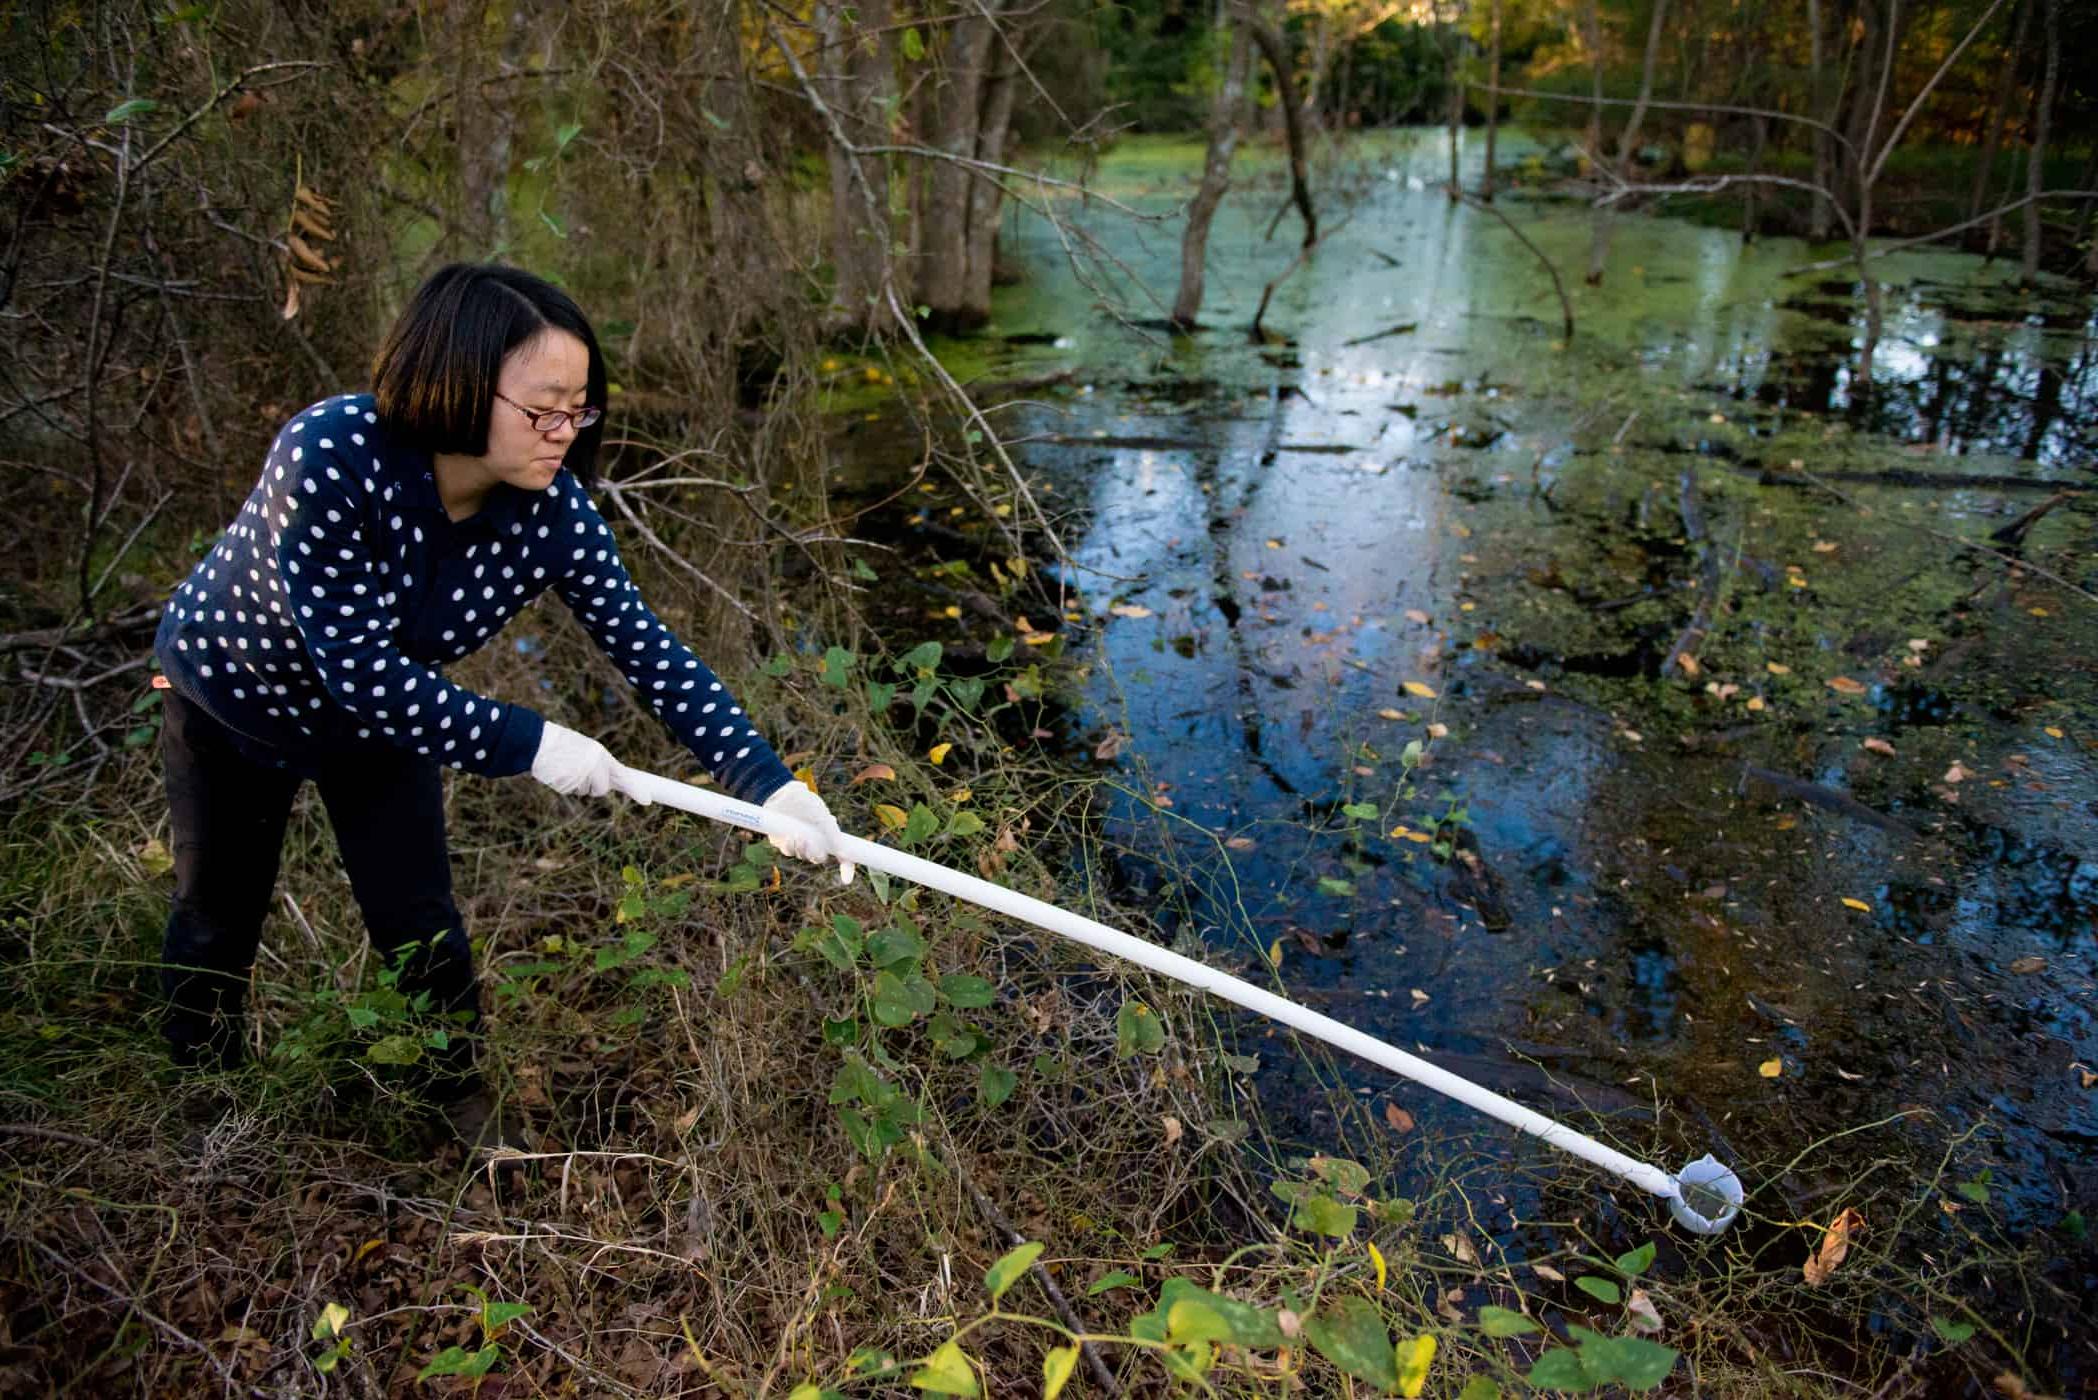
{"points": [[790, 1139]]}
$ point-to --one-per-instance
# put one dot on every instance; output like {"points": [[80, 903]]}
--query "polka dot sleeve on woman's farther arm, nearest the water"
{"points": [[677, 685]]}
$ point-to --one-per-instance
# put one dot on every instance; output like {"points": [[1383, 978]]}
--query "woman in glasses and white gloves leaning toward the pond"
{"points": [[393, 534]]}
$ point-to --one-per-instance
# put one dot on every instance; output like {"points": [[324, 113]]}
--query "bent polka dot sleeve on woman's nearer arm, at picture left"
{"points": [[347, 612]]}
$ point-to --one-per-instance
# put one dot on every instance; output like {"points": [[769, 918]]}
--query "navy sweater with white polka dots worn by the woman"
{"points": [[326, 612]]}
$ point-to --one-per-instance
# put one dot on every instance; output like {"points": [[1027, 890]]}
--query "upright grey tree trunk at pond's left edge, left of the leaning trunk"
{"points": [[859, 83]]}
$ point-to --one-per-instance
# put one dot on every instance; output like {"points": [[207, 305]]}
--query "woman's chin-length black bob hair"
{"points": [[435, 375]]}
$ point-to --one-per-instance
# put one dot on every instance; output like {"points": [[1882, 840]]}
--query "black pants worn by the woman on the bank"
{"points": [[230, 815]]}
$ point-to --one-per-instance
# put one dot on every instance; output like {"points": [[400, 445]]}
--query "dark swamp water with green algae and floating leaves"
{"points": [[1841, 874]]}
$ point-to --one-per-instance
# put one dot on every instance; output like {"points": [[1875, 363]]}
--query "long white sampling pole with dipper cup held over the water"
{"points": [[1717, 1191]]}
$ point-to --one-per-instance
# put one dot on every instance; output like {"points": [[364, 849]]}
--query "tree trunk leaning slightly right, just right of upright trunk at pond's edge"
{"points": [[943, 276]]}
